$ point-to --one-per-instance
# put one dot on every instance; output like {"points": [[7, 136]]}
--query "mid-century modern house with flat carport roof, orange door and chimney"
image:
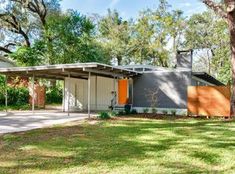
{"points": [[96, 87]]}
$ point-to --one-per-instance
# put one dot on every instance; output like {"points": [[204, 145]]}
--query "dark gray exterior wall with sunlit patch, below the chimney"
{"points": [[171, 86]]}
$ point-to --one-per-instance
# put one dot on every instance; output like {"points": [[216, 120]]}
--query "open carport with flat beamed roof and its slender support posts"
{"points": [[62, 71]]}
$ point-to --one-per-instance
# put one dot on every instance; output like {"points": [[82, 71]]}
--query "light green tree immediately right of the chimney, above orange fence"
{"points": [[203, 34]]}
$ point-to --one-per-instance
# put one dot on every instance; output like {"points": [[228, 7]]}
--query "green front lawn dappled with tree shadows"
{"points": [[123, 146]]}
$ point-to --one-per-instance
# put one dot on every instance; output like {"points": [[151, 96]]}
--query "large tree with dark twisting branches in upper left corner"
{"points": [[20, 20]]}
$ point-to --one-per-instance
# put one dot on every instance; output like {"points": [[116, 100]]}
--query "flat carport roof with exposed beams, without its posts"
{"points": [[61, 71]]}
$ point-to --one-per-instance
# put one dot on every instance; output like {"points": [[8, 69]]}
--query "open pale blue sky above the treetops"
{"points": [[129, 8]]}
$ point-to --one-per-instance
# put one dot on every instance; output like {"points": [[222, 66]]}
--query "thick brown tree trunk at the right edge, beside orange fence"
{"points": [[231, 22]]}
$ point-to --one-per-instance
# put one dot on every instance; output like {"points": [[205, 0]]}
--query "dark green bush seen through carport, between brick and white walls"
{"points": [[54, 95]]}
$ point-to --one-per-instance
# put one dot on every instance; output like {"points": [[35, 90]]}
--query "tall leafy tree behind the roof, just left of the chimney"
{"points": [[152, 32]]}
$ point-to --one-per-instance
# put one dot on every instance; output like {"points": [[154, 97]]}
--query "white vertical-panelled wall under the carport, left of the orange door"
{"points": [[100, 97]]}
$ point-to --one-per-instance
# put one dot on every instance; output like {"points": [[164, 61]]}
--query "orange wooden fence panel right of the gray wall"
{"points": [[209, 100]]}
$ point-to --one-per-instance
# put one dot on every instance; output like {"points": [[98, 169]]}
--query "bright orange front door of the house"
{"points": [[122, 92]]}
